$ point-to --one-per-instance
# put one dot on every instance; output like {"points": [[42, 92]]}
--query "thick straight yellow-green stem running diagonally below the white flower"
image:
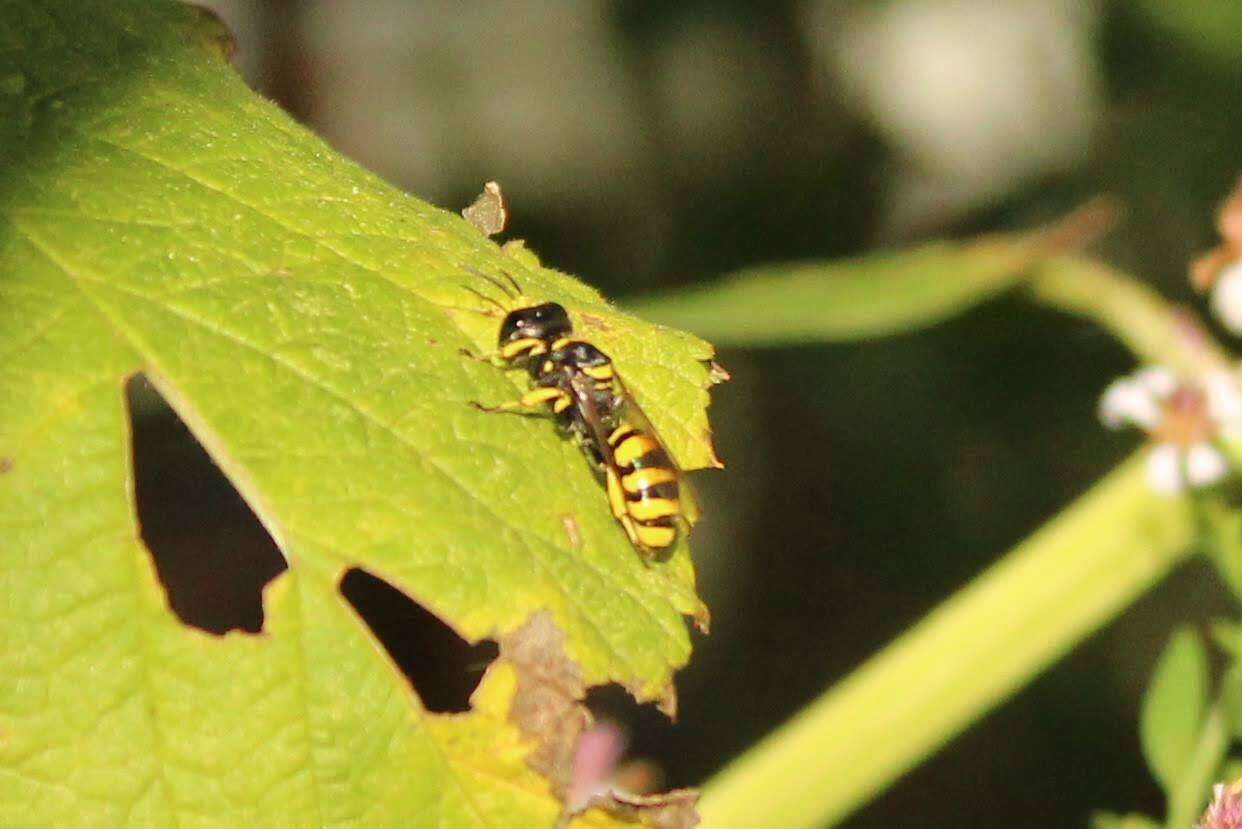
{"points": [[1070, 579]]}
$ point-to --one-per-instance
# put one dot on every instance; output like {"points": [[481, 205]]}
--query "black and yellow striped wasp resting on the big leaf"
{"points": [[577, 382]]}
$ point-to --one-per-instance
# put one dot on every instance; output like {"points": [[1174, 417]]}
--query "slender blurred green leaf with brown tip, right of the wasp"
{"points": [[864, 299]]}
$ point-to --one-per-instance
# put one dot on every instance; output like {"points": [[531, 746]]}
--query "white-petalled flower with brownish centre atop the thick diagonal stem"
{"points": [[1185, 421]]}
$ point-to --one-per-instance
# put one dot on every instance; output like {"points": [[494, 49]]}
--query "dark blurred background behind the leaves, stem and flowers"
{"points": [[645, 146]]}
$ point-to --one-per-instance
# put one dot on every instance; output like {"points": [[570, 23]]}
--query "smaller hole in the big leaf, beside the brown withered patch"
{"points": [[444, 668]]}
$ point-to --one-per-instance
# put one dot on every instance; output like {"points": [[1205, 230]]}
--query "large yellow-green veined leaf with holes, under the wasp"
{"points": [[306, 321]]}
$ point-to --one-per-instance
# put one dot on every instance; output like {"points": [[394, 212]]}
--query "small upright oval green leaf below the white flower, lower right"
{"points": [[1174, 707]]}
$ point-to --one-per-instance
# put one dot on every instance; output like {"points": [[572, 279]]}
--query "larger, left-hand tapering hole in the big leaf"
{"points": [[212, 554]]}
